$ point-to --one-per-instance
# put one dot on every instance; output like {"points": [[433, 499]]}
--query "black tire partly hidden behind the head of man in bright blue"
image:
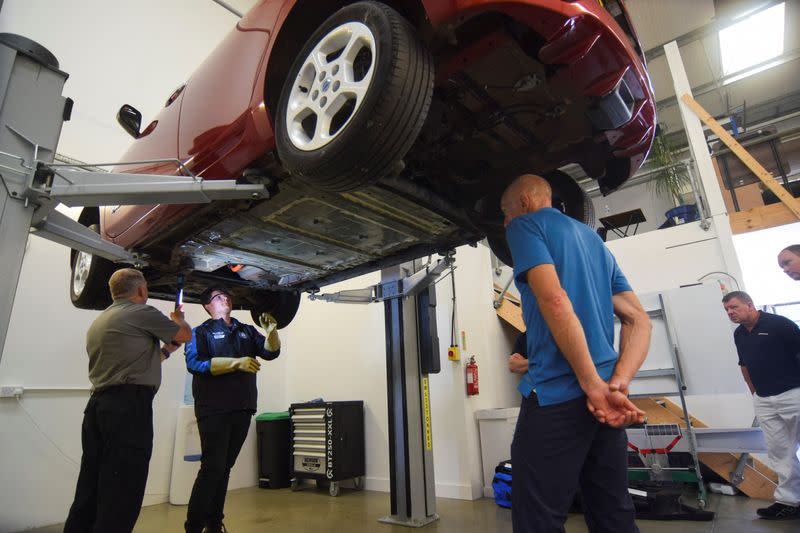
{"points": [[568, 197]]}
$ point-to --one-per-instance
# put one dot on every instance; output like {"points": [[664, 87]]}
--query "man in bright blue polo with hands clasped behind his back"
{"points": [[569, 431]]}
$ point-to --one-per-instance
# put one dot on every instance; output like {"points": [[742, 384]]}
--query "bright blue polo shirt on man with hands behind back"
{"points": [[590, 276]]}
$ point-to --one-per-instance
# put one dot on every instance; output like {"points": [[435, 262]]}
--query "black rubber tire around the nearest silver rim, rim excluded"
{"points": [[389, 118]]}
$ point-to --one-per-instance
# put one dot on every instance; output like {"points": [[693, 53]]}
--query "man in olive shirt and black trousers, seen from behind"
{"points": [[117, 432]]}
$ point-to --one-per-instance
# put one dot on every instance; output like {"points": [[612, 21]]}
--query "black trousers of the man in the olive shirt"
{"points": [[117, 439]]}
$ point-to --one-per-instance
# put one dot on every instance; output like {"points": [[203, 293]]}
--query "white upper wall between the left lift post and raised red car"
{"points": [[118, 53]]}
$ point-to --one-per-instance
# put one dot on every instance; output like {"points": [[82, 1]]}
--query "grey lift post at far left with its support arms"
{"points": [[32, 111]]}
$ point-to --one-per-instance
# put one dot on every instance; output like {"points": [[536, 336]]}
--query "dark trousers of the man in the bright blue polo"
{"points": [[558, 448]]}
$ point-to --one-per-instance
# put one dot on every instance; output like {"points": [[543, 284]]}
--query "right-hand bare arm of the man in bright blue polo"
{"points": [[634, 338]]}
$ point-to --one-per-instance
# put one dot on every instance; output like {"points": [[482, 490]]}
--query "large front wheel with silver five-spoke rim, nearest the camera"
{"points": [[355, 98]]}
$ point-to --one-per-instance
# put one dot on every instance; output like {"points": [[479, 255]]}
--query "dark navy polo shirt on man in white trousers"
{"points": [[771, 353]]}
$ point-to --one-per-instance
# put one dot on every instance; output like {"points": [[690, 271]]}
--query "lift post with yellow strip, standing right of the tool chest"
{"points": [[408, 293]]}
